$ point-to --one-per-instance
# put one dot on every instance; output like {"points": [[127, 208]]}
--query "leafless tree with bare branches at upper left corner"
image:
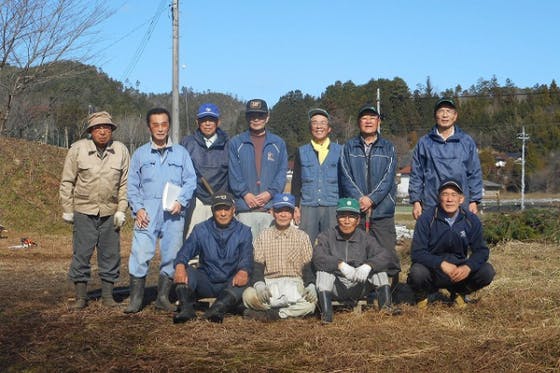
{"points": [[34, 34]]}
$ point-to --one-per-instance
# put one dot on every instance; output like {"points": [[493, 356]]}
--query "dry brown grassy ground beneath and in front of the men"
{"points": [[513, 327]]}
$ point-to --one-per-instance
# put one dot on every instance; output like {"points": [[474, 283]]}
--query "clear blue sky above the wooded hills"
{"points": [[267, 48]]}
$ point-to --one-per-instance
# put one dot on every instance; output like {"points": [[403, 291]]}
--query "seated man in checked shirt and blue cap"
{"points": [[282, 279]]}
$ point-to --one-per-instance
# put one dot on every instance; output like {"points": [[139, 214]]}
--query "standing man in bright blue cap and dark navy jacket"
{"points": [[208, 150]]}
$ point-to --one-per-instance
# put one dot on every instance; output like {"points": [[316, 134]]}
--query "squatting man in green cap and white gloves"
{"points": [[350, 263]]}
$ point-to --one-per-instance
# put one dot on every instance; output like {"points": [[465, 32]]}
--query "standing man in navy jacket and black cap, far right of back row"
{"points": [[446, 152]]}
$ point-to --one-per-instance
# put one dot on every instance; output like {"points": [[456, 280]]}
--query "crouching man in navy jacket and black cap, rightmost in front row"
{"points": [[443, 237]]}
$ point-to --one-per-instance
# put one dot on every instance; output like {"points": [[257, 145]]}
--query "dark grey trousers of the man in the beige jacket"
{"points": [[92, 231]]}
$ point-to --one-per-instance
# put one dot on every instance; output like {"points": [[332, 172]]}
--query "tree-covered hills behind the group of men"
{"points": [[494, 115]]}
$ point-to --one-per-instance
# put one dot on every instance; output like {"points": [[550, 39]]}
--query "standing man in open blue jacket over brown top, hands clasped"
{"points": [[258, 162]]}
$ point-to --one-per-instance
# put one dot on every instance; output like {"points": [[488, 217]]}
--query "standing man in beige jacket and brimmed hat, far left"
{"points": [[93, 197]]}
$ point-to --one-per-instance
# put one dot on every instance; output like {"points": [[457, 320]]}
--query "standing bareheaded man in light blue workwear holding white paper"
{"points": [[153, 165]]}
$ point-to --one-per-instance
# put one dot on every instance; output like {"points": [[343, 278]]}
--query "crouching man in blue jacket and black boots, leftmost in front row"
{"points": [[225, 250]]}
